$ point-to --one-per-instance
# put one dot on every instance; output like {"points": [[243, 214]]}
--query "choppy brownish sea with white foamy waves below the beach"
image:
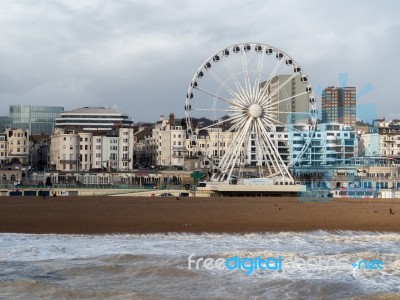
{"points": [[329, 265]]}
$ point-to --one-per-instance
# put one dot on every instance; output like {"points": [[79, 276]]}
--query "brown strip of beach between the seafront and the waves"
{"points": [[105, 215]]}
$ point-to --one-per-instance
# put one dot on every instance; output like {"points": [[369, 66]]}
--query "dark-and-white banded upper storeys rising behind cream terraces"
{"points": [[92, 119]]}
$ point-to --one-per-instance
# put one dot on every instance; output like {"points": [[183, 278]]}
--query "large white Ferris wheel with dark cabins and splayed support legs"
{"points": [[255, 97]]}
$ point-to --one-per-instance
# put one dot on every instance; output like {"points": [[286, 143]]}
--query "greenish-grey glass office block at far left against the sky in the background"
{"points": [[38, 119]]}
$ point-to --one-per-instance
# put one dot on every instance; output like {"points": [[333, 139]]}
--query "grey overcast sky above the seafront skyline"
{"points": [[139, 56]]}
